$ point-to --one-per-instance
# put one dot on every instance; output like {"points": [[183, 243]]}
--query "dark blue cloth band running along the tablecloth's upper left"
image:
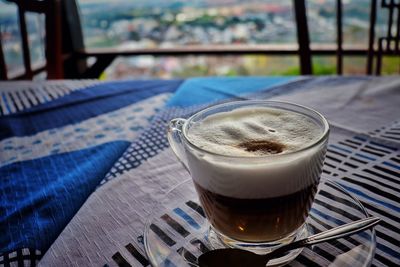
{"points": [[81, 105]]}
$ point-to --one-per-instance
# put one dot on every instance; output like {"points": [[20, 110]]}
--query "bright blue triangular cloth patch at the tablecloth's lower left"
{"points": [[39, 197]]}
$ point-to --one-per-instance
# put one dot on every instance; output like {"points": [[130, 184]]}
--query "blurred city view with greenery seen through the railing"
{"points": [[133, 24]]}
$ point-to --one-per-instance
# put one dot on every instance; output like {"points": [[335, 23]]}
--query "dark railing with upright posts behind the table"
{"points": [[77, 55]]}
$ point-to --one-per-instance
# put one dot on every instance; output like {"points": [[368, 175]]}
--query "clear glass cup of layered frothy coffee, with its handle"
{"points": [[256, 166]]}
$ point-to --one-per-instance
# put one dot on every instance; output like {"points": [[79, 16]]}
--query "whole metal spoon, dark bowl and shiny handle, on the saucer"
{"points": [[237, 257]]}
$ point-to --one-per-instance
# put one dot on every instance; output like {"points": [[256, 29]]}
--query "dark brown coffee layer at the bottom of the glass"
{"points": [[257, 220]]}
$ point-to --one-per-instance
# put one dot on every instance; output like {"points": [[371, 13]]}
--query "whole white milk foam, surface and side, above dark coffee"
{"points": [[246, 134]]}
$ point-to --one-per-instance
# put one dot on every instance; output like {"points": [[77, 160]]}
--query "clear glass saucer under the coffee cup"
{"points": [[176, 233]]}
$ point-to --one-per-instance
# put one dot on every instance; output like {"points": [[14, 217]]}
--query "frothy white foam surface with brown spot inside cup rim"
{"points": [[252, 132]]}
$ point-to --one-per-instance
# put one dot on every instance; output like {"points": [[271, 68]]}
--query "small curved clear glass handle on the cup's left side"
{"points": [[175, 139]]}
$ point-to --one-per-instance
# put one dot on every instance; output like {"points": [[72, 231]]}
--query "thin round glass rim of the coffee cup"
{"points": [[321, 139]]}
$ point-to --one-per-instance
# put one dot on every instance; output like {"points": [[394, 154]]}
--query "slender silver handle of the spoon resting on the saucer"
{"points": [[334, 233]]}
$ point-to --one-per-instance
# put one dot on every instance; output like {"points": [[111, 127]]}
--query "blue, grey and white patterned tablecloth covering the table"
{"points": [[82, 162]]}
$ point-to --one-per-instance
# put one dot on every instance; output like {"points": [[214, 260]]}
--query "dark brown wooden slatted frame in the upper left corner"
{"points": [[53, 42]]}
